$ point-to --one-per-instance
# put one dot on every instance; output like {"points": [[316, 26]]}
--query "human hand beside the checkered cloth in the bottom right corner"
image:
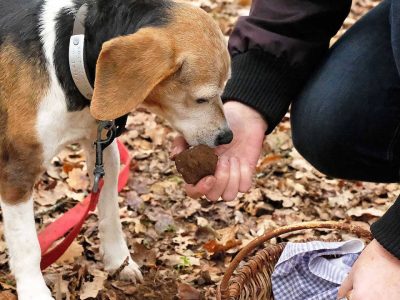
{"points": [[375, 275]]}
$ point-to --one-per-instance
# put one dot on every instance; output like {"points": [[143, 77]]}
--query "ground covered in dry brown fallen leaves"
{"points": [[183, 245]]}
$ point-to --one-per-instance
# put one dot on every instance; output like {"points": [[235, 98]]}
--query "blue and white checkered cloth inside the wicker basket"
{"points": [[313, 270]]}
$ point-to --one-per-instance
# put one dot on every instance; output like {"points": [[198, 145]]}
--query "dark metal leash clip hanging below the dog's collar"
{"points": [[109, 128]]}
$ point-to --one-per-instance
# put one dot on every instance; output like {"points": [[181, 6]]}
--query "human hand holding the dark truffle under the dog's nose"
{"points": [[237, 160]]}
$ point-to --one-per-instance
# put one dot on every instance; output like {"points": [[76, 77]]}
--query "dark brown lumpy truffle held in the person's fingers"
{"points": [[196, 163]]}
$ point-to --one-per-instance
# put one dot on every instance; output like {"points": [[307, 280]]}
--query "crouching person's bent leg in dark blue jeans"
{"points": [[347, 120]]}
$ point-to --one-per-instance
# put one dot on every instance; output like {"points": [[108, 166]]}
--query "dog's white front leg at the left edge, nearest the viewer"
{"points": [[24, 250]]}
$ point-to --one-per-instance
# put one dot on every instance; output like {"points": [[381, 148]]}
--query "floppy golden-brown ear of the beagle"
{"points": [[128, 69]]}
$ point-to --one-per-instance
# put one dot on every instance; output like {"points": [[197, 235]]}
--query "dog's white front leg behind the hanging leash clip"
{"points": [[113, 245]]}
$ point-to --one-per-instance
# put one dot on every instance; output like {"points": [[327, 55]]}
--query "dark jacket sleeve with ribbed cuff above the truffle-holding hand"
{"points": [[275, 48]]}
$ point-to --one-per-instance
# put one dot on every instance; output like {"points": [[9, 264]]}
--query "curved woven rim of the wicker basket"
{"points": [[334, 225]]}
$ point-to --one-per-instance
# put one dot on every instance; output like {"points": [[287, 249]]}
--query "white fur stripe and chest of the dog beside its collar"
{"points": [[57, 127]]}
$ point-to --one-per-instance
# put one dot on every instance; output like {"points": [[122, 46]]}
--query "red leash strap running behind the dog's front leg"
{"points": [[71, 222]]}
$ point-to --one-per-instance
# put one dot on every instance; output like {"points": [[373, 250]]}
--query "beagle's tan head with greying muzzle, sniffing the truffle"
{"points": [[177, 70]]}
